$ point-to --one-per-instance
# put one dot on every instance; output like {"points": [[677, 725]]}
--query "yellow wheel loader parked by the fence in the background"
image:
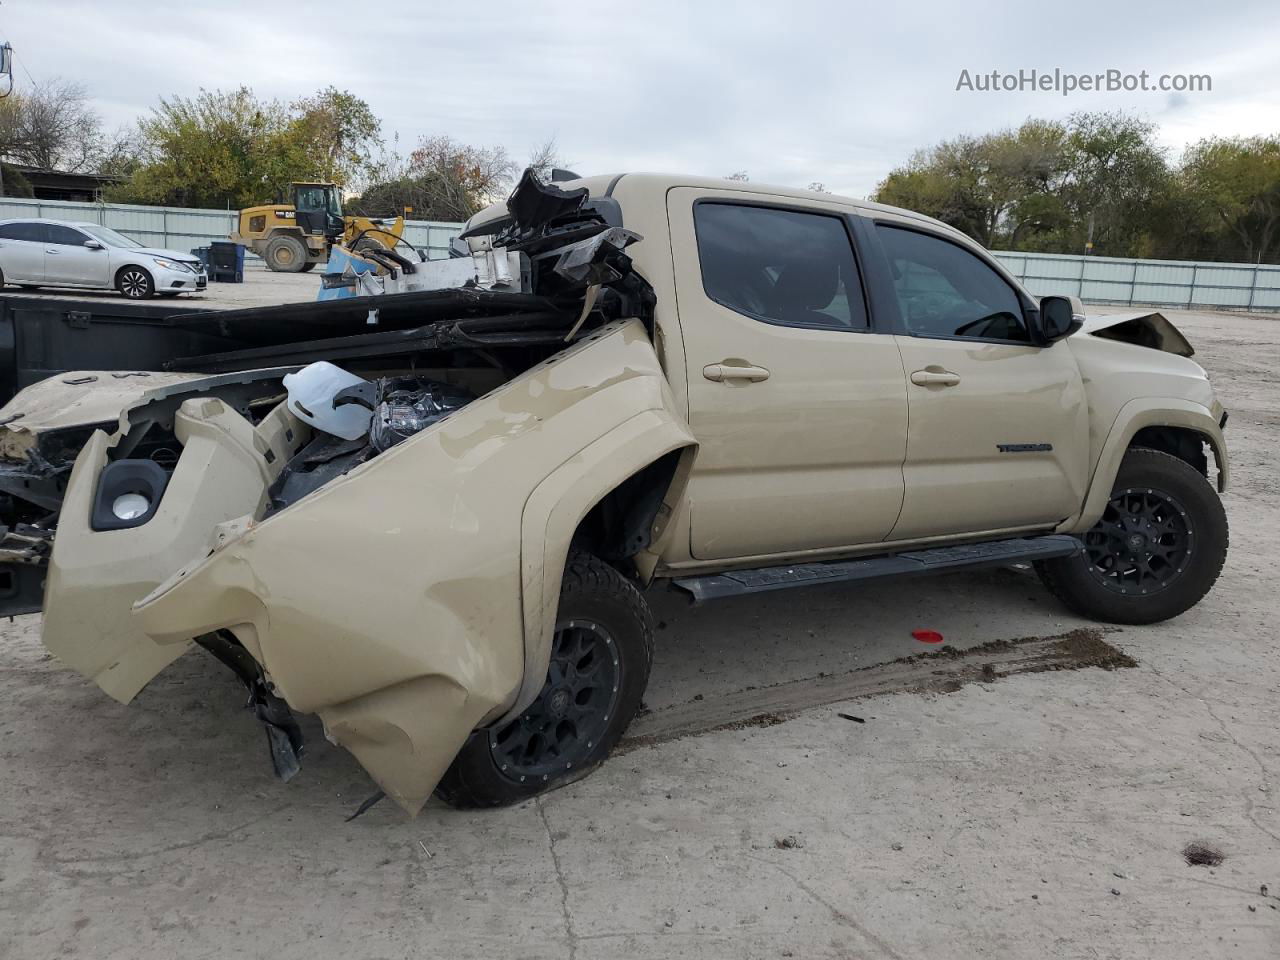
{"points": [[295, 237]]}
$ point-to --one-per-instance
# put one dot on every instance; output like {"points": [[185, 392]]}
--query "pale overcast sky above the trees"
{"points": [[790, 92]]}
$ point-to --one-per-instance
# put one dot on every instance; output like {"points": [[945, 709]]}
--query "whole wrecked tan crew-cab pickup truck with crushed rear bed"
{"points": [[429, 518]]}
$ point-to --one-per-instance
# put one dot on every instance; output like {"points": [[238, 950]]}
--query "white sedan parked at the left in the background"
{"points": [[60, 254]]}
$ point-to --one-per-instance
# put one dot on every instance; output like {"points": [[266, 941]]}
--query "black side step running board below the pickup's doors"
{"points": [[940, 560]]}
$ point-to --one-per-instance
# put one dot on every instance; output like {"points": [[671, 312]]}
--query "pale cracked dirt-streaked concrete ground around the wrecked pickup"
{"points": [[990, 822]]}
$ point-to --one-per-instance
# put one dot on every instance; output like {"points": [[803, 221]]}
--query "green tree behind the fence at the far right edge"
{"points": [[1237, 181]]}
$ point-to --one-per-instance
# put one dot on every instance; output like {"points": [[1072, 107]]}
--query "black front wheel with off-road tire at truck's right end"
{"points": [[1158, 550]]}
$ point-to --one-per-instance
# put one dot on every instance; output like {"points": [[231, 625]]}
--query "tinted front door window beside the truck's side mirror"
{"points": [[947, 291]]}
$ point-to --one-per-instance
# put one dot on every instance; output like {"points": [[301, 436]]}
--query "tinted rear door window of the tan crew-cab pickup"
{"points": [[780, 266]]}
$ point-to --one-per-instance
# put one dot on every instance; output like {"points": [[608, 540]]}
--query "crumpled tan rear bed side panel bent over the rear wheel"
{"points": [[391, 601]]}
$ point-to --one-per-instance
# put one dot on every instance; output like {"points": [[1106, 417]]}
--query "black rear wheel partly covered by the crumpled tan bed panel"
{"points": [[600, 666]]}
